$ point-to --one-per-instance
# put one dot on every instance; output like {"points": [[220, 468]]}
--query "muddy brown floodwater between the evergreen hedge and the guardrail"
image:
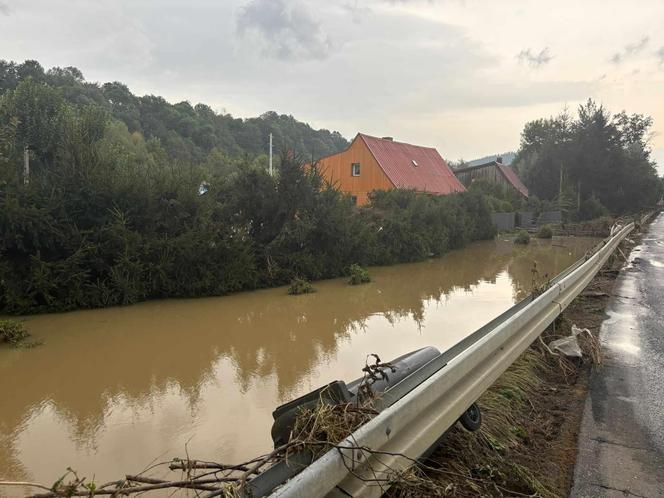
{"points": [[112, 390]]}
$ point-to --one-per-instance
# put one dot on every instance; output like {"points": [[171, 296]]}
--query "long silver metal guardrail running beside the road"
{"points": [[408, 428]]}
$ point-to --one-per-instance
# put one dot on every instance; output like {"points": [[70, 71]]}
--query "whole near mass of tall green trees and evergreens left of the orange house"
{"points": [[111, 216]]}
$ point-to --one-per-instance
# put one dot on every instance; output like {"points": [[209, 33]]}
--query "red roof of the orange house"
{"points": [[412, 166]]}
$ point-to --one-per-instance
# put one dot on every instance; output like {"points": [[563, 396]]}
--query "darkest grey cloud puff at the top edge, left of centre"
{"points": [[285, 29]]}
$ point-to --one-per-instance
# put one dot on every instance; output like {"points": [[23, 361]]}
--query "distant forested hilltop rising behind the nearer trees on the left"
{"points": [[187, 133]]}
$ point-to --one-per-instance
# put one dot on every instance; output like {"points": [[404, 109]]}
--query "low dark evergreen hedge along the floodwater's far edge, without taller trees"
{"points": [[70, 242]]}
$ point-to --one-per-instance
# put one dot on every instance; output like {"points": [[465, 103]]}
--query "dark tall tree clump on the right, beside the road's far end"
{"points": [[591, 164]]}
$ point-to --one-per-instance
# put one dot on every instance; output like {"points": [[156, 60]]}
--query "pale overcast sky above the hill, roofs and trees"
{"points": [[461, 75]]}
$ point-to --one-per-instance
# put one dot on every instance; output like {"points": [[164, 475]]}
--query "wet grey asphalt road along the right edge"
{"points": [[621, 444]]}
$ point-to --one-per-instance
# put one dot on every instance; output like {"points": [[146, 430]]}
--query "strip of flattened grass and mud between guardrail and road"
{"points": [[532, 414]]}
